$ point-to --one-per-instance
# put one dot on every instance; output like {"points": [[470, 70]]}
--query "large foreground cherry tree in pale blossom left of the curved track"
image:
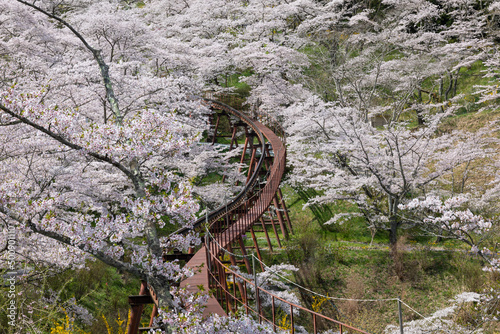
{"points": [[89, 126]]}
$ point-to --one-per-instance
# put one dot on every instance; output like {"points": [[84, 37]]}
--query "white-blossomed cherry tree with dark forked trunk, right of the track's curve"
{"points": [[336, 151]]}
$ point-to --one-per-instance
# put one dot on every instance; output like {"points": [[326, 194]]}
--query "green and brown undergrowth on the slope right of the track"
{"points": [[340, 262]]}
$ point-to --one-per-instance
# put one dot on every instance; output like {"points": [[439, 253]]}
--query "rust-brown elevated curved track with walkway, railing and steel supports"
{"points": [[255, 205]]}
